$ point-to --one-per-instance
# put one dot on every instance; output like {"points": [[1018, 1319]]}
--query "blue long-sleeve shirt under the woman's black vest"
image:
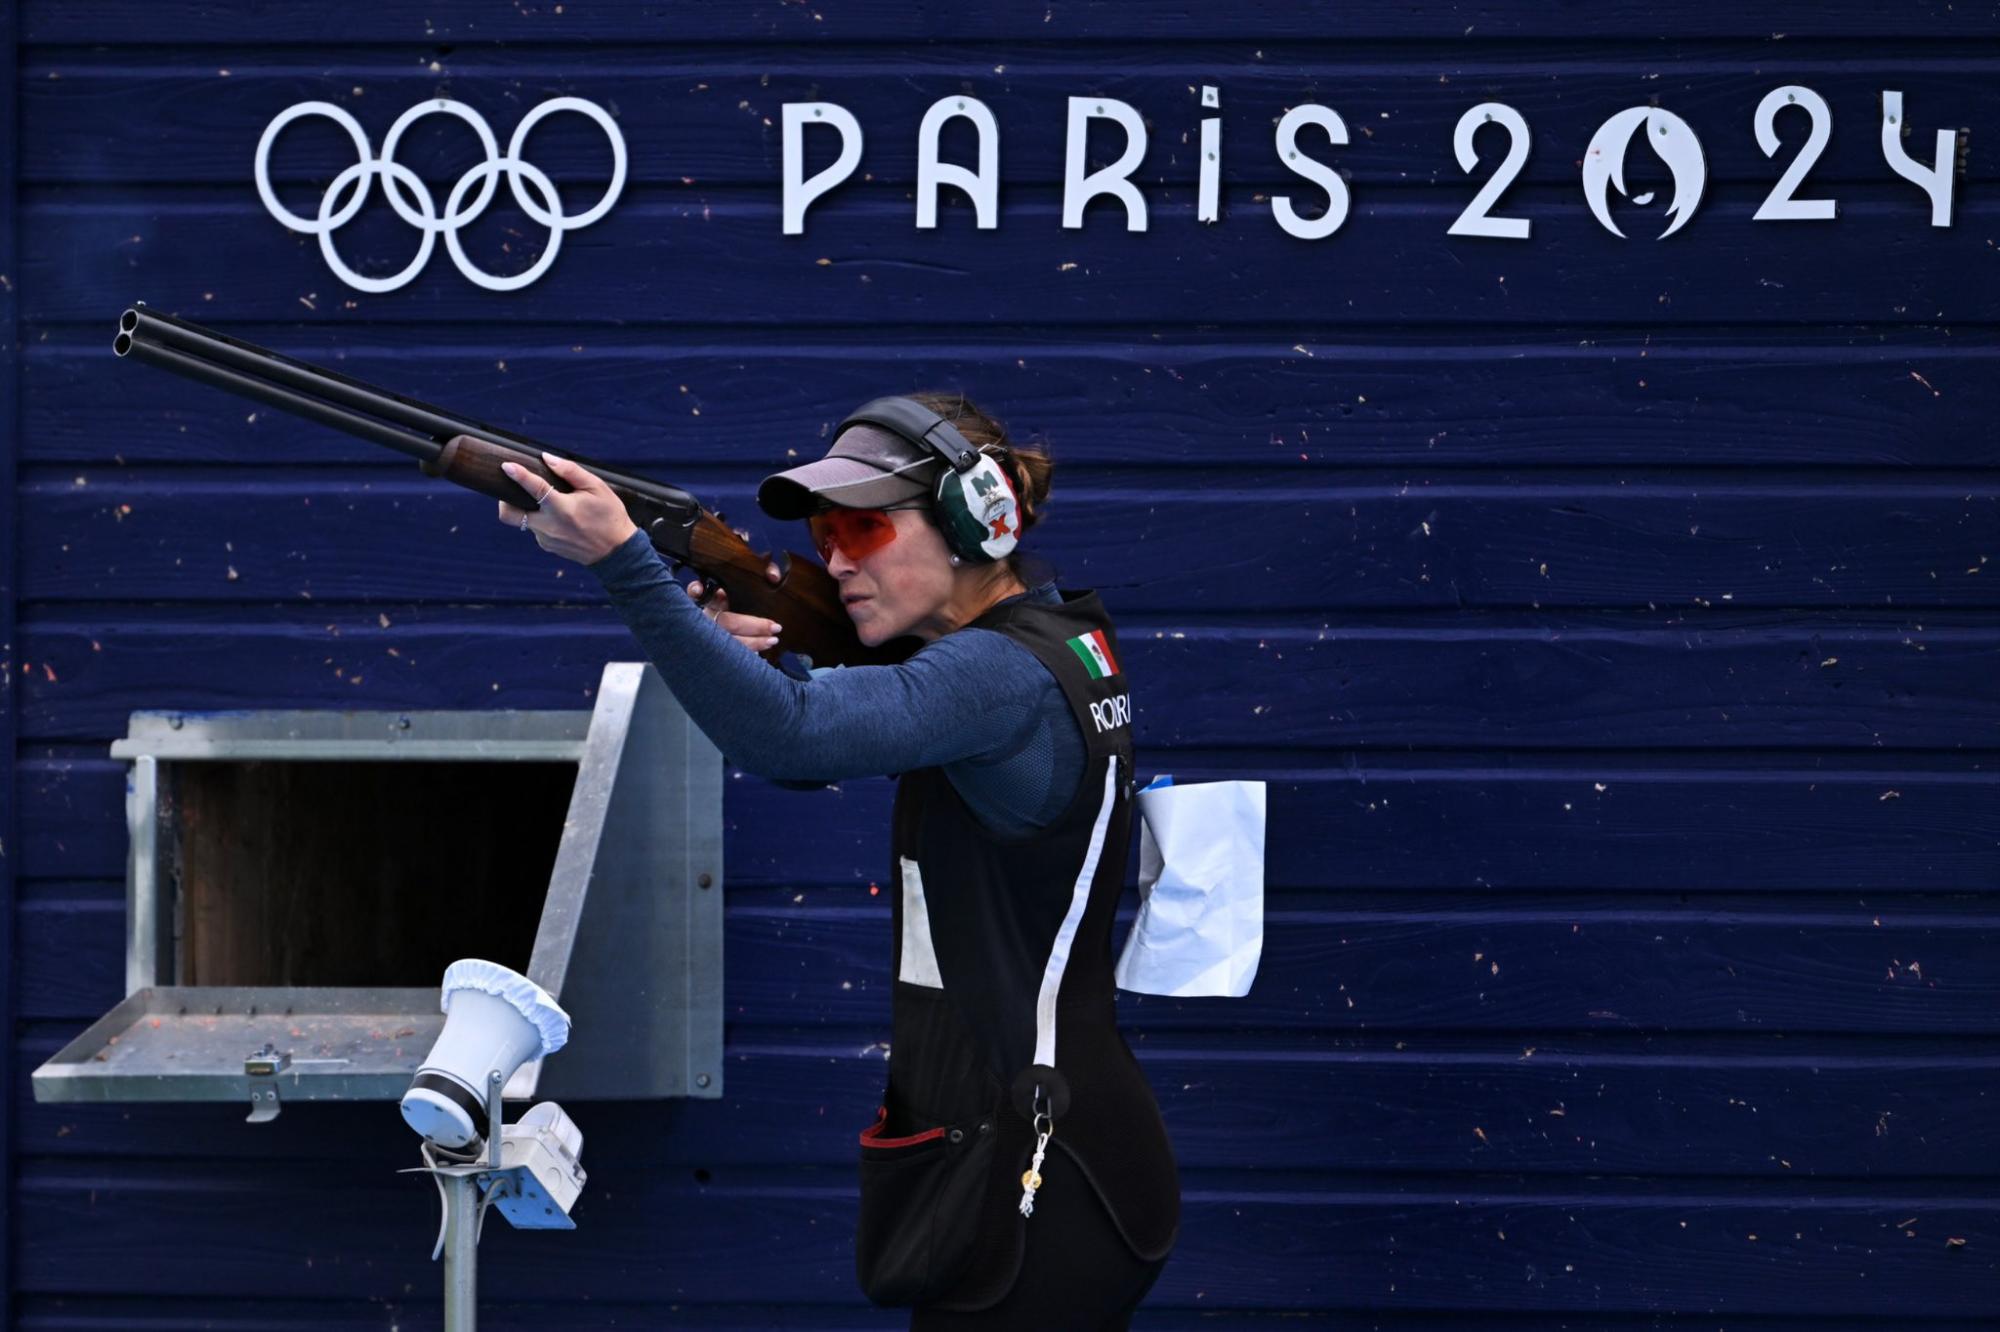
{"points": [[973, 703]]}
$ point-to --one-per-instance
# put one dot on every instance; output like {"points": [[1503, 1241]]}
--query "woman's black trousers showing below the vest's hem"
{"points": [[1077, 1273]]}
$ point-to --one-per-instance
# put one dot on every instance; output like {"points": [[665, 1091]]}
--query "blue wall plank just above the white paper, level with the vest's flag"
{"points": [[1713, 679]]}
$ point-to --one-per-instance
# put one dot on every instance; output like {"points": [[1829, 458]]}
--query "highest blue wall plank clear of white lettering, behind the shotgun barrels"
{"points": [[667, 401]]}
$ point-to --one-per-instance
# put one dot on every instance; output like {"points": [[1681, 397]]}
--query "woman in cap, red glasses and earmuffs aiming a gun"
{"points": [[1019, 1173]]}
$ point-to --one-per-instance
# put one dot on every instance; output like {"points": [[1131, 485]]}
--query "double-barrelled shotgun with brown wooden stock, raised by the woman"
{"points": [[469, 453]]}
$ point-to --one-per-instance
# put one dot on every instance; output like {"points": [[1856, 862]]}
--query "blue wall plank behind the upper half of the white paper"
{"points": [[1699, 825]]}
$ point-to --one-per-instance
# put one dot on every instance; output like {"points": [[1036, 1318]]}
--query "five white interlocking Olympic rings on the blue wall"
{"points": [[419, 209]]}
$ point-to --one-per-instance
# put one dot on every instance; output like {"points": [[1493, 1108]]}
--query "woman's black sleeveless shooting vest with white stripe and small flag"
{"points": [[1003, 955]]}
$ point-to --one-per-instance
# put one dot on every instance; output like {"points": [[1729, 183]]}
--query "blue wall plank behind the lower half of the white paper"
{"points": [[1331, 965]]}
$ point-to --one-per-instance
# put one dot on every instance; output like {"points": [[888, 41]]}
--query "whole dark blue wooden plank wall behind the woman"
{"points": [[1613, 623]]}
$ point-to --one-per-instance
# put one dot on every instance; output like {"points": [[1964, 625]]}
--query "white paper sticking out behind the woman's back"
{"points": [[1201, 881]]}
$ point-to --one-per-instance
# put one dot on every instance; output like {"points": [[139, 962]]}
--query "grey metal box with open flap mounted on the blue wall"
{"points": [[299, 883]]}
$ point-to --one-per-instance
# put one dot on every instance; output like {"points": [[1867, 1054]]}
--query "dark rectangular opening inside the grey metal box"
{"points": [[357, 873]]}
